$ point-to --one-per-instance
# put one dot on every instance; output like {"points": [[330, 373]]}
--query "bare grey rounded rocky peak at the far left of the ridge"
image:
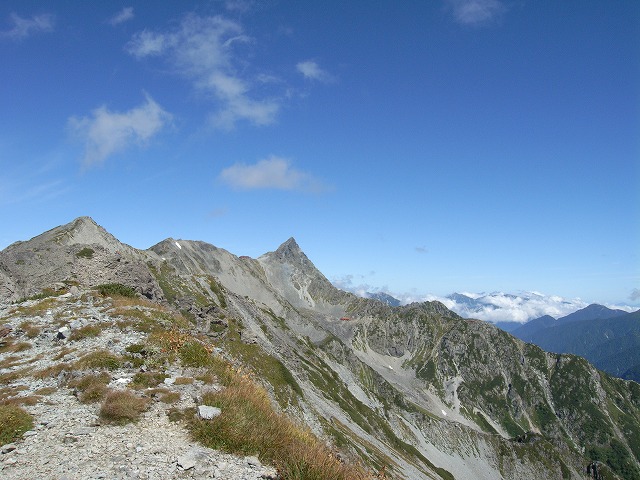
{"points": [[79, 253]]}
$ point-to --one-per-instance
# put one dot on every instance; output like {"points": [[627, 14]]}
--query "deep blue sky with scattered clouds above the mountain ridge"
{"points": [[413, 147]]}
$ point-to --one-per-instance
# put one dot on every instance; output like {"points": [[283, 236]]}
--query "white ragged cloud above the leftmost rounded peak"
{"points": [[105, 133]]}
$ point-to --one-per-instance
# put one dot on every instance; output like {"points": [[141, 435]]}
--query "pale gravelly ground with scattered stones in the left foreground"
{"points": [[69, 440]]}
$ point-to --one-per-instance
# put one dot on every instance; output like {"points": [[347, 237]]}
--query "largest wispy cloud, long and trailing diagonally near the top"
{"points": [[204, 50]]}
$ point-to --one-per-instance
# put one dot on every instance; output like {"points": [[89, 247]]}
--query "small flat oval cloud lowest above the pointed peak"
{"points": [[271, 173]]}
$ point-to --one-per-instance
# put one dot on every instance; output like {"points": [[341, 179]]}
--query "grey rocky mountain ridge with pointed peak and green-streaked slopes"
{"points": [[415, 390]]}
